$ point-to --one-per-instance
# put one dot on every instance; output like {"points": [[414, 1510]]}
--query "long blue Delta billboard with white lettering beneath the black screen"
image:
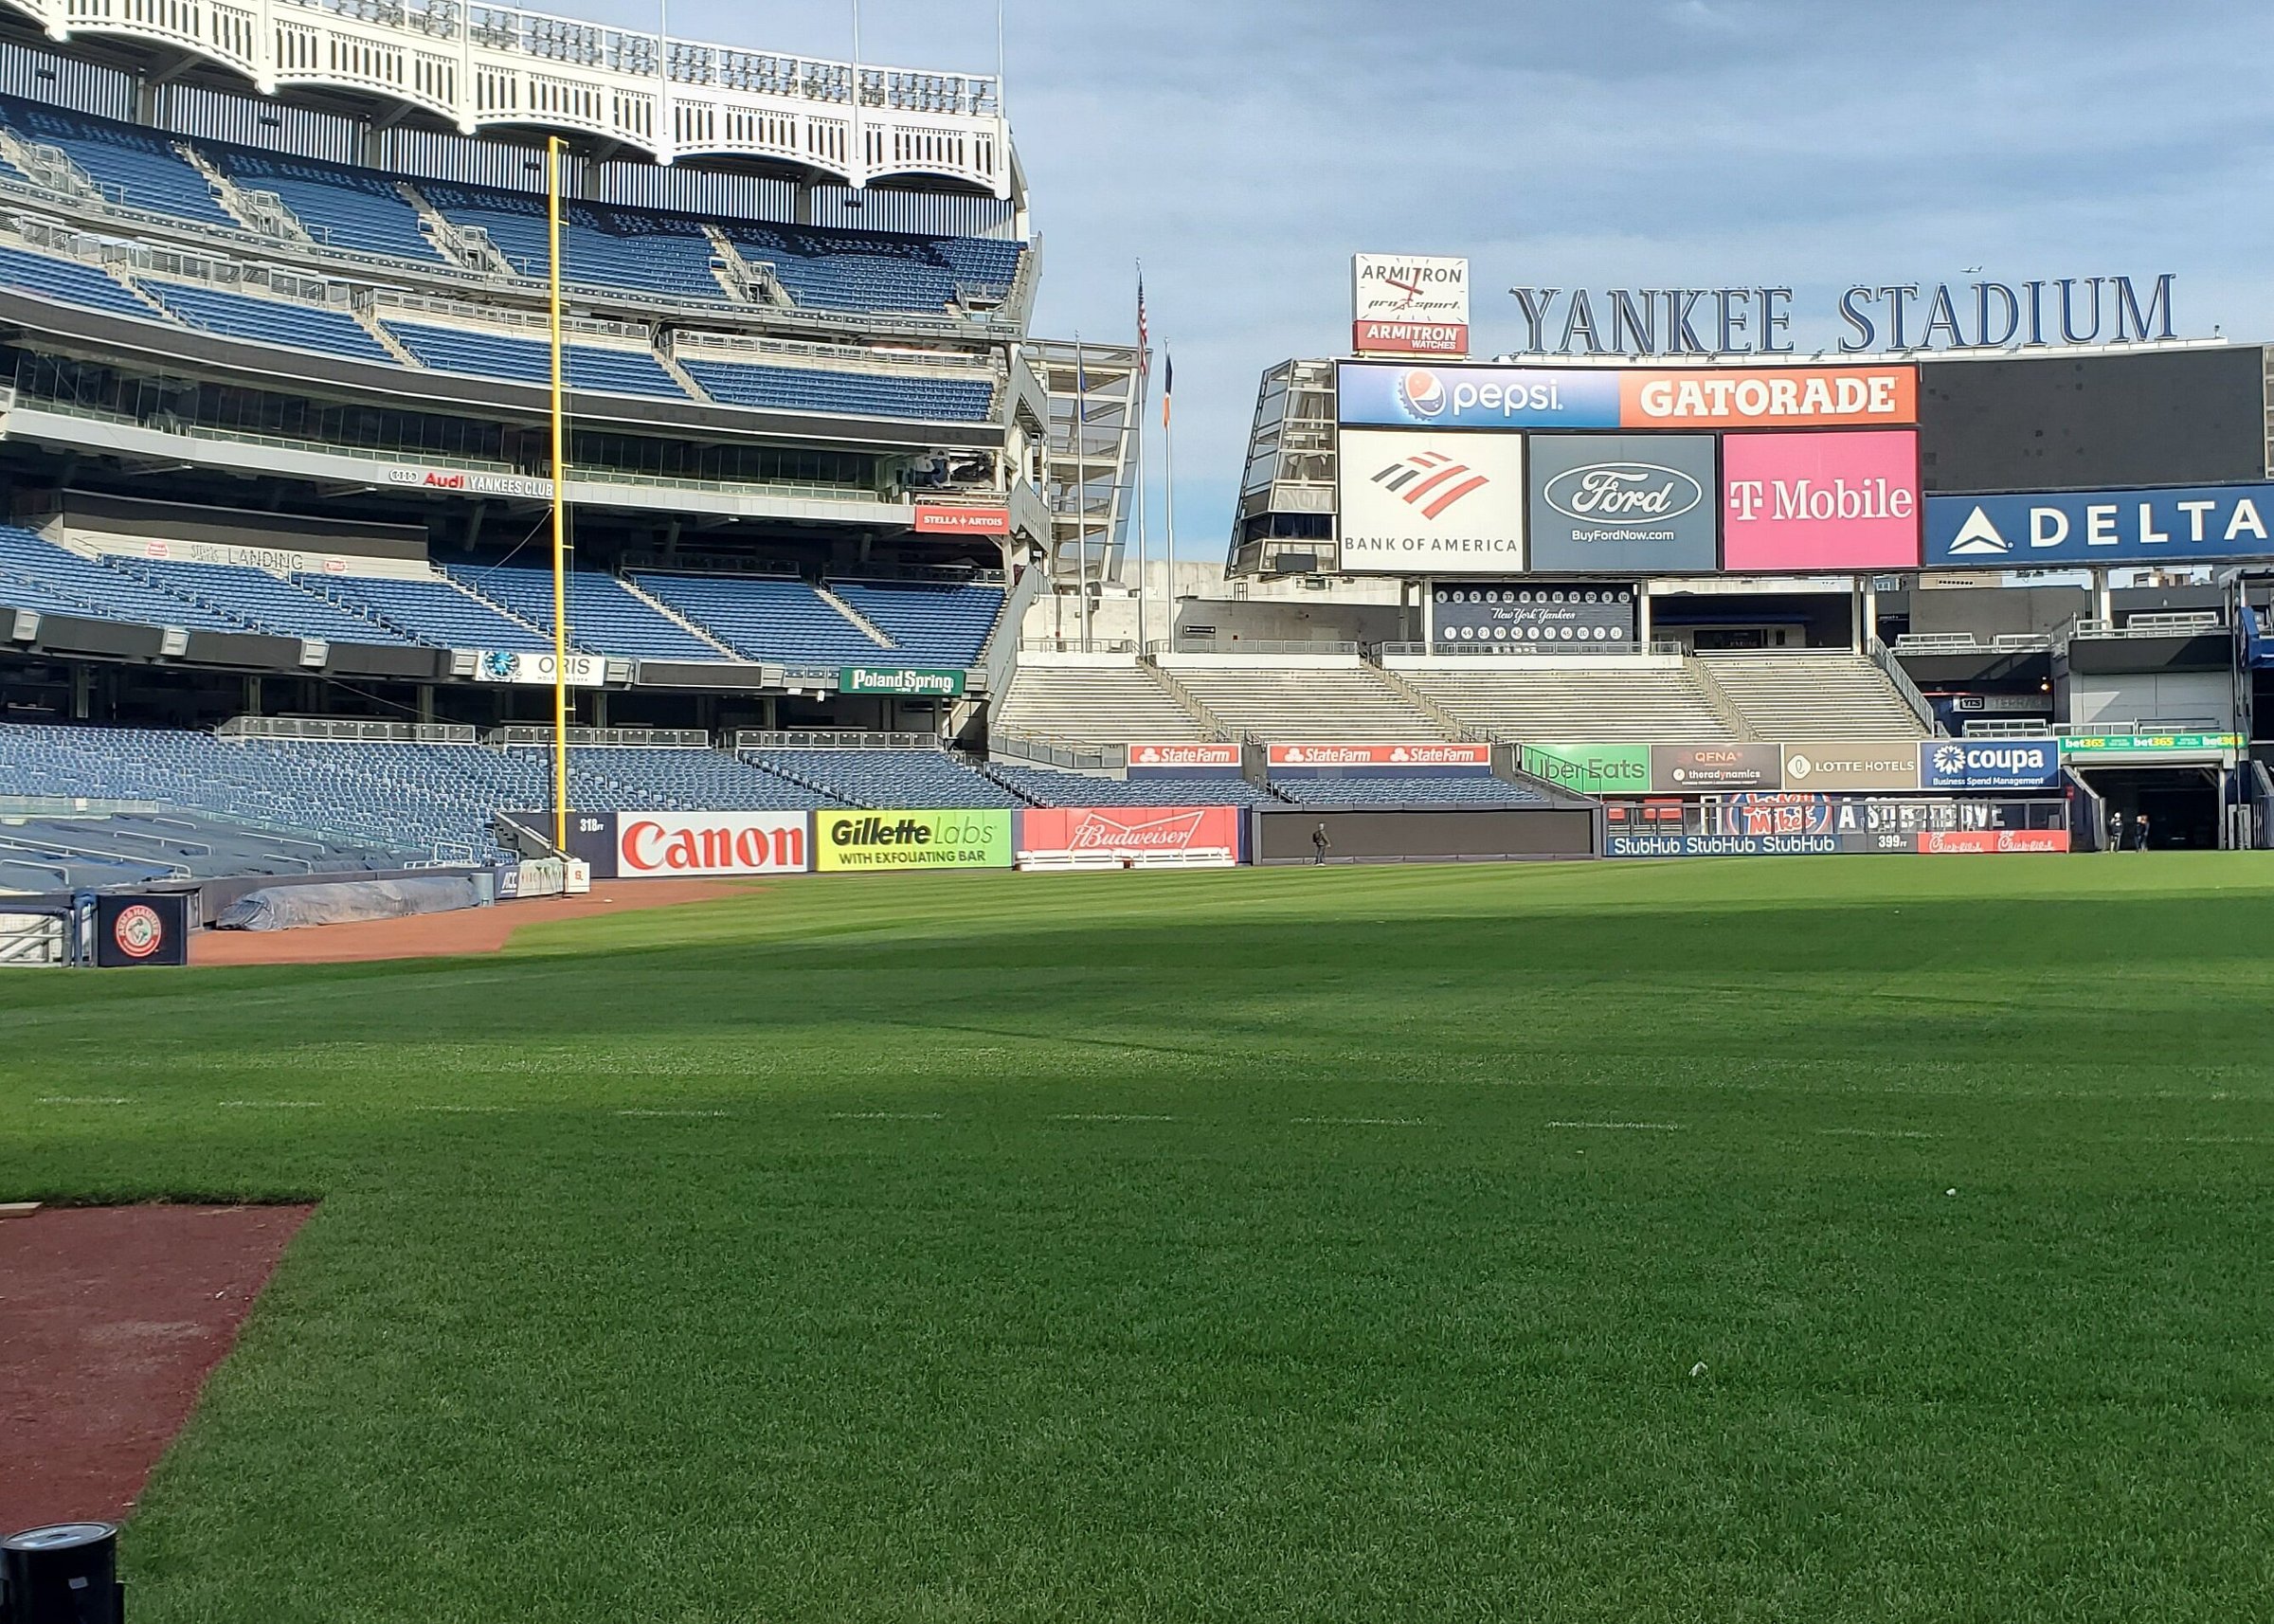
{"points": [[2064, 529]]}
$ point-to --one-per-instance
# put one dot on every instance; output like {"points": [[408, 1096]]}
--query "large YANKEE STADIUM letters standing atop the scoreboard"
{"points": [[1893, 317]]}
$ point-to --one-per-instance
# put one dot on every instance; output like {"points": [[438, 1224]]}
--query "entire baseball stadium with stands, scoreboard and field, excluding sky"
{"points": [[663, 961]]}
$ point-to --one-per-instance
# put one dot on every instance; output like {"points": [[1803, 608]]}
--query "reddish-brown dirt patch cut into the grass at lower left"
{"points": [[110, 1323]]}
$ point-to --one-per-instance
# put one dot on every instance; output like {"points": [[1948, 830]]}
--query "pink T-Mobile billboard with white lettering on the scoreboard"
{"points": [[1820, 502]]}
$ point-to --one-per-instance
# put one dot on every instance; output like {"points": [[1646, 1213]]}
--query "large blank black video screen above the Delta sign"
{"points": [[2093, 422]]}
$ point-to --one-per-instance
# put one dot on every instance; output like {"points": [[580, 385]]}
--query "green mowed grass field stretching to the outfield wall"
{"points": [[1265, 1245]]}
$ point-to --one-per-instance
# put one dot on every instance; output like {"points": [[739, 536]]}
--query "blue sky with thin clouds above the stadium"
{"points": [[1245, 149]]}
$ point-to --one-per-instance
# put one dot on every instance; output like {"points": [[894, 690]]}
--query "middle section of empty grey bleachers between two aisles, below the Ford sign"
{"points": [[1591, 699]]}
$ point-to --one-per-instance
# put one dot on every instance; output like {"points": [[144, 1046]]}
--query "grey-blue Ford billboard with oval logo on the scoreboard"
{"points": [[1629, 504]]}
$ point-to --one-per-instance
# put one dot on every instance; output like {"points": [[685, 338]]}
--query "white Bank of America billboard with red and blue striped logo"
{"points": [[1431, 504]]}
